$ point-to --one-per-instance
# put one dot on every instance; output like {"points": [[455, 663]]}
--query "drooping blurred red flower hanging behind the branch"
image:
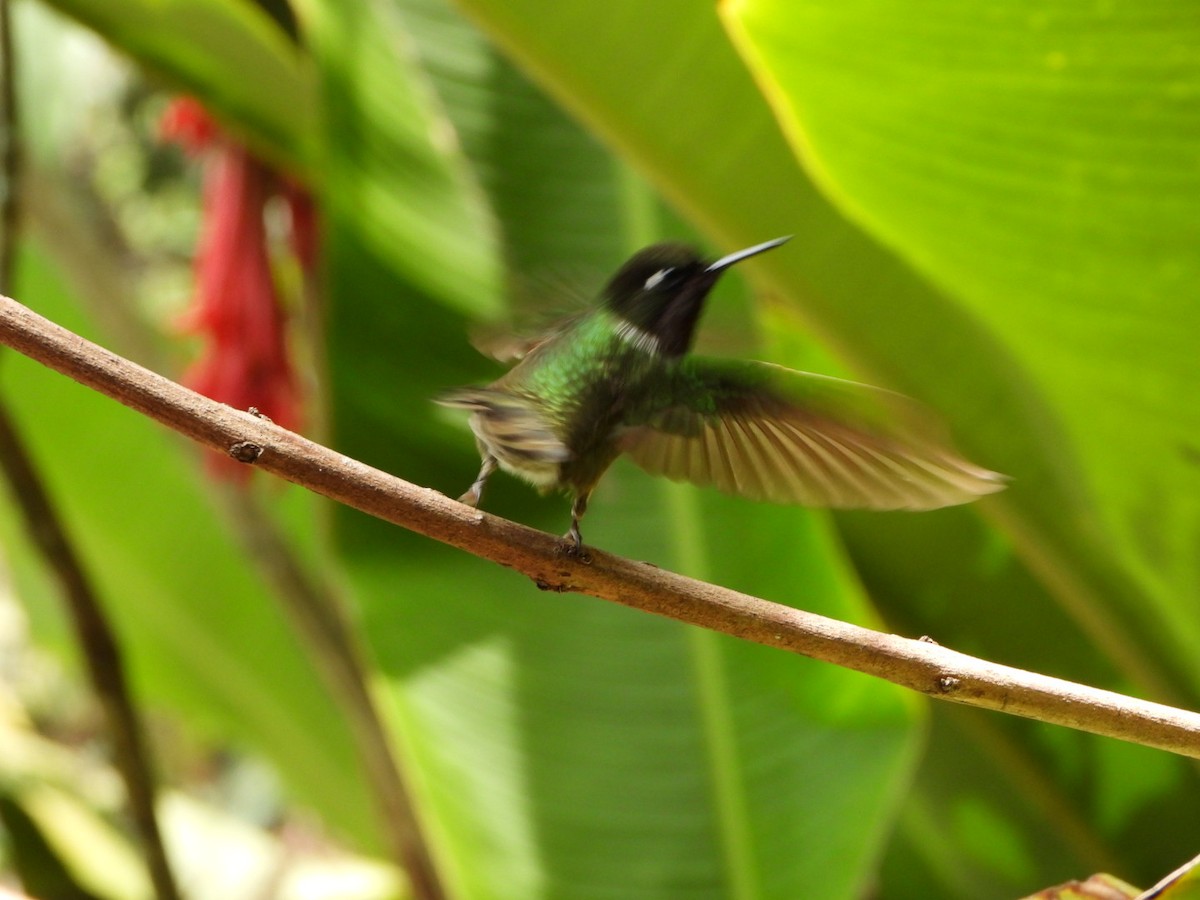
{"points": [[237, 309]]}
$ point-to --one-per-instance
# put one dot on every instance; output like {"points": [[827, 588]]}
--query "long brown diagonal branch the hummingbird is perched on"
{"points": [[920, 665]]}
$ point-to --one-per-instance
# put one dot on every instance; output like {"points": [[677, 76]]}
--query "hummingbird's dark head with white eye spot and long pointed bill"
{"points": [[661, 293]]}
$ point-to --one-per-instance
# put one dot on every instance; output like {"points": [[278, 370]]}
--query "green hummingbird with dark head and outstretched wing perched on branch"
{"points": [[620, 379]]}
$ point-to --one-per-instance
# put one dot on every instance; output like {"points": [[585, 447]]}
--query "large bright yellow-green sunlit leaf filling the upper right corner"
{"points": [[1034, 161]]}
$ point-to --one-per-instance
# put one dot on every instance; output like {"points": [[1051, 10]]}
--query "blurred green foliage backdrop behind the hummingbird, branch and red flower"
{"points": [[994, 212]]}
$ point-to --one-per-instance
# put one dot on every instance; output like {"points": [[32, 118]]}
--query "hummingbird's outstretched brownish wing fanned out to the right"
{"points": [[772, 434]]}
